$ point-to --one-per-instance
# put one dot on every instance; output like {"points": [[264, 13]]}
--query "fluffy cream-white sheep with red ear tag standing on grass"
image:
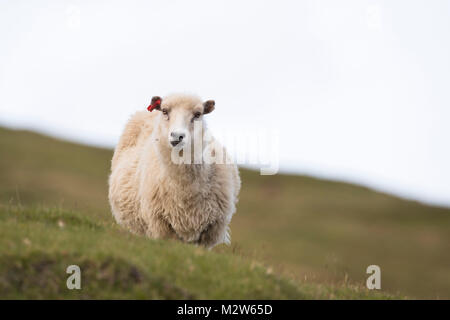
{"points": [[152, 195]]}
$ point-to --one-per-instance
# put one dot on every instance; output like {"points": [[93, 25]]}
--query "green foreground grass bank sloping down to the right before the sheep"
{"points": [[38, 244]]}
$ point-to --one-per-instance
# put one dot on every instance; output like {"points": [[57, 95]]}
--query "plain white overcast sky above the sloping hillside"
{"points": [[358, 91]]}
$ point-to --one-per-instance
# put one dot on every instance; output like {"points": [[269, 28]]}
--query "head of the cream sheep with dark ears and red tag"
{"points": [[179, 114]]}
